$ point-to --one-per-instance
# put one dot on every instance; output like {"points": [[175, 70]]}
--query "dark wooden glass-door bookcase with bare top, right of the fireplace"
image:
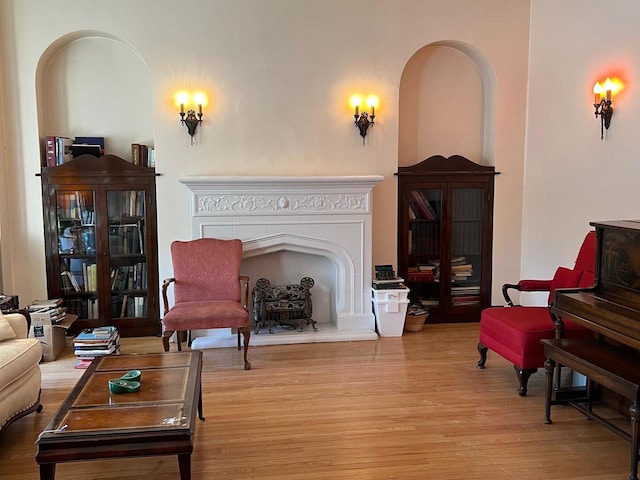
{"points": [[445, 224]]}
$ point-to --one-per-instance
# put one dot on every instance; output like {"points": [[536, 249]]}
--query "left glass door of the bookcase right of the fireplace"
{"points": [[425, 221]]}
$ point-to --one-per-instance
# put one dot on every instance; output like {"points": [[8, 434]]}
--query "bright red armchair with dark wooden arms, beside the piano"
{"points": [[514, 332]]}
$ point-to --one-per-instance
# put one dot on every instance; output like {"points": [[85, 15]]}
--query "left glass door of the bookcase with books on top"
{"points": [[76, 234]]}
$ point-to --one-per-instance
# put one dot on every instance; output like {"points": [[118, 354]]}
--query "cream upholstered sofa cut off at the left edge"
{"points": [[19, 370]]}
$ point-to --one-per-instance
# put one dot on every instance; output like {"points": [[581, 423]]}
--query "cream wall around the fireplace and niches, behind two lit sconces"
{"points": [[280, 73]]}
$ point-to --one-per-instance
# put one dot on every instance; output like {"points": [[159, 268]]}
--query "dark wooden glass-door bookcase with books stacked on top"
{"points": [[101, 242]]}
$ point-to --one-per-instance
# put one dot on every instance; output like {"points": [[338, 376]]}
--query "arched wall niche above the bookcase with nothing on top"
{"points": [[447, 105]]}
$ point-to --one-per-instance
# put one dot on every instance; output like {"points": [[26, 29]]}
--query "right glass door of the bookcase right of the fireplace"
{"points": [[466, 246]]}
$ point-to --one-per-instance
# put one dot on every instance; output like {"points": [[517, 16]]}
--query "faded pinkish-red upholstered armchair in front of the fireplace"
{"points": [[207, 289]]}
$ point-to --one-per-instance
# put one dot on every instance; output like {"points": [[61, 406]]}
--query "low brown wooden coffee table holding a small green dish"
{"points": [[158, 419]]}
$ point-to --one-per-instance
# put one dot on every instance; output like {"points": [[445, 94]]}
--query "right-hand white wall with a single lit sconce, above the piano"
{"points": [[572, 177]]}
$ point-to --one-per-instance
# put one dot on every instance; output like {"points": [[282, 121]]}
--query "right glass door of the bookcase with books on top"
{"points": [[127, 253]]}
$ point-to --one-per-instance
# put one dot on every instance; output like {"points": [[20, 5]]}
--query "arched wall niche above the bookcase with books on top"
{"points": [[94, 84]]}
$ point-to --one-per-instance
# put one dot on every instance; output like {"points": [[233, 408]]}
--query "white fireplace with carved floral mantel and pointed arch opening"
{"points": [[292, 227]]}
